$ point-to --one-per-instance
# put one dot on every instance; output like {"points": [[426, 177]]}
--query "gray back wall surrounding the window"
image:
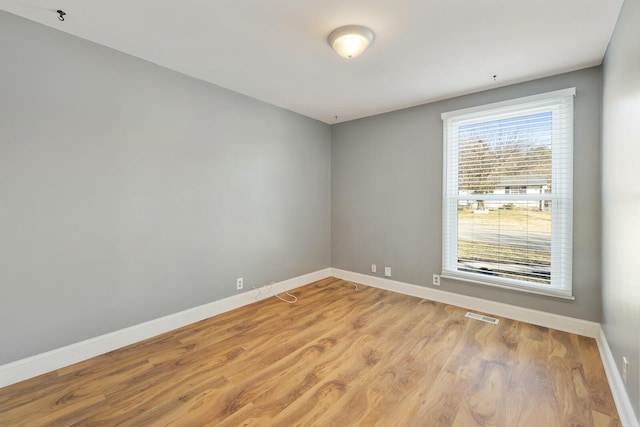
{"points": [[386, 192]]}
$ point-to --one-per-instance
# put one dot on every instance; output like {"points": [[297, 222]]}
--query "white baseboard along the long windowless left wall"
{"points": [[33, 366]]}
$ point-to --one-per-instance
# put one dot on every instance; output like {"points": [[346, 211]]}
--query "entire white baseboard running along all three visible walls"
{"points": [[55, 359]]}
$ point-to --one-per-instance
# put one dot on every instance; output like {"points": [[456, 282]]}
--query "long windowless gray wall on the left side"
{"points": [[128, 191]]}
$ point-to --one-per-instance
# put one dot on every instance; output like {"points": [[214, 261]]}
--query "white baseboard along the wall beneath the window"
{"points": [[535, 317]]}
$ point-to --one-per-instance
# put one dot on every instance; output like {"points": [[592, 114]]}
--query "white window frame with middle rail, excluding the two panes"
{"points": [[561, 197]]}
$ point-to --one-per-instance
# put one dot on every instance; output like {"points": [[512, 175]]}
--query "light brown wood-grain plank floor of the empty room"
{"points": [[337, 357]]}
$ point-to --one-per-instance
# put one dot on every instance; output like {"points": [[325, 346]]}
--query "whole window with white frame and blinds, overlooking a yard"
{"points": [[507, 196]]}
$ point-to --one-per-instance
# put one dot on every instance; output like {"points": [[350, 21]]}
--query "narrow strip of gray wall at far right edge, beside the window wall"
{"points": [[621, 195]]}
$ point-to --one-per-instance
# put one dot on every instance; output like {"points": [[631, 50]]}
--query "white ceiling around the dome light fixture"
{"points": [[276, 50]]}
